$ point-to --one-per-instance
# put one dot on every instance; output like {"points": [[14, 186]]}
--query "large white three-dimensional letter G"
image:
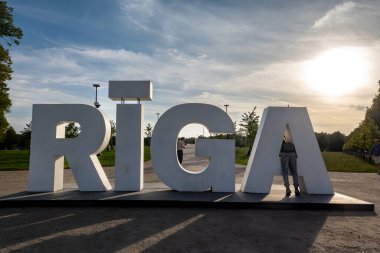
{"points": [[220, 173]]}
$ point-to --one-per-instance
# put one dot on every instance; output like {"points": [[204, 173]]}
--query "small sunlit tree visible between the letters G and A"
{"points": [[249, 126]]}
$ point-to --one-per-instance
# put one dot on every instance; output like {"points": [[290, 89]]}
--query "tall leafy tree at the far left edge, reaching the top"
{"points": [[10, 34]]}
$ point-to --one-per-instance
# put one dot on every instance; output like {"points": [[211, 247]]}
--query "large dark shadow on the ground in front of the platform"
{"points": [[161, 230]]}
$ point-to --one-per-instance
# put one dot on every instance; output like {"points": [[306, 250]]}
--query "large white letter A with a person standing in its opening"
{"points": [[264, 163]]}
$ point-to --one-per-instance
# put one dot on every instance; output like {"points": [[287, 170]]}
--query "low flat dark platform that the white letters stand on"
{"points": [[159, 195]]}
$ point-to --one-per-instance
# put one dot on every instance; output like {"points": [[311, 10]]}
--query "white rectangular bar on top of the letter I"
{"points": [[130, 90]]}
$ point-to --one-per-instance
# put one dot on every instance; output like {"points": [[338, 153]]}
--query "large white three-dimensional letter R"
{"points": [[48, 146]]}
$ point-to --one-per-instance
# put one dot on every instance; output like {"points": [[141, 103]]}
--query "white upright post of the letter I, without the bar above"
{"points": [[129, 157]]}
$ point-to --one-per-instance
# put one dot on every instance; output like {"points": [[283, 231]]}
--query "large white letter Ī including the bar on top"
{"points": [[129, 157]]}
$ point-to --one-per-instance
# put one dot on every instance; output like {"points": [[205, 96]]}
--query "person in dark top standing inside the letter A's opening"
{"points": [[288, 156]]}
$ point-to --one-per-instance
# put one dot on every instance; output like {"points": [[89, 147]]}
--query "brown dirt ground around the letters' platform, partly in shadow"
{"points": [[191, 229]]}
